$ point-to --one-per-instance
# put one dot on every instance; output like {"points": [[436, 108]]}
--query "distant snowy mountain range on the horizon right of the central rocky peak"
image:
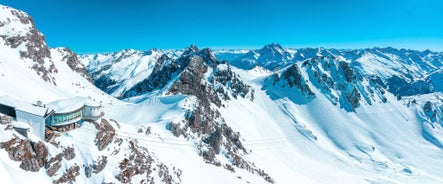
{"points": [[385, 62]]}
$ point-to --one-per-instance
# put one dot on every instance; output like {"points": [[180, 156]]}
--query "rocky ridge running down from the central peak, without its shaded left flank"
{"points": [[204, 120]]}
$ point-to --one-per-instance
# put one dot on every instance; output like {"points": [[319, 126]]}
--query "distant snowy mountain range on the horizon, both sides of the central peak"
{"points": [[413, 72]]}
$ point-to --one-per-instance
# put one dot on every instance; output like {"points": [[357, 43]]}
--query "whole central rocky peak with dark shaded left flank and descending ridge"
{"points": [[201, 75]]}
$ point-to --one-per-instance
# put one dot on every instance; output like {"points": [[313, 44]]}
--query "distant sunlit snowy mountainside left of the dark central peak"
{"points": [[117, 72]]}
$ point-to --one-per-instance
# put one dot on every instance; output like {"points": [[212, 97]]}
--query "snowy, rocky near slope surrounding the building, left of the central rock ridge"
{"points": [[130, 144]]}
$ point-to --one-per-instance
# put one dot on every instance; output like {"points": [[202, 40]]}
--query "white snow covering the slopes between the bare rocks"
{"points": [[312, 142]]}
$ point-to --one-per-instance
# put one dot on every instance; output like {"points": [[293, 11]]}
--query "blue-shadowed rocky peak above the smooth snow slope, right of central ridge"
{"points": [[336, 79]]}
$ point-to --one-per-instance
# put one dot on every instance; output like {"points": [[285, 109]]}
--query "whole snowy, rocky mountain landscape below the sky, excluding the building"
{"points": [[271, 115]]}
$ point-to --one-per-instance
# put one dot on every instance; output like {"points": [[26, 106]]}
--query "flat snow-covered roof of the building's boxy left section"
{"points": [[23, 106]]}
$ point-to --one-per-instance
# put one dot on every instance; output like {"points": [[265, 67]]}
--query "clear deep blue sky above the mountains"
{"points": [[89, 26]]}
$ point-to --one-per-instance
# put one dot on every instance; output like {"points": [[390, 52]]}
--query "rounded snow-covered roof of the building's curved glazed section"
{"points": [[71, 104]]}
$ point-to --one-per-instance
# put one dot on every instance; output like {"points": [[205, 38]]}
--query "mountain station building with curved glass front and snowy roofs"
{"points": [[61, 115]]}
